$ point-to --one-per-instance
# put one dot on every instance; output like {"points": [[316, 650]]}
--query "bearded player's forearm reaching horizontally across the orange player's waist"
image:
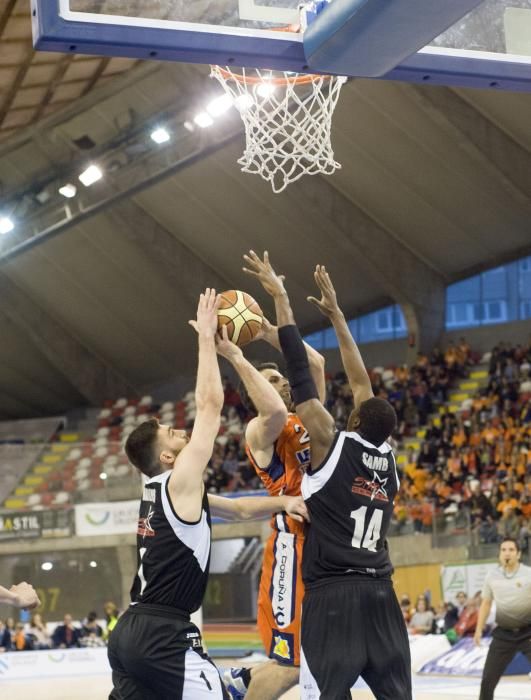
{"points": [[255, 507]]}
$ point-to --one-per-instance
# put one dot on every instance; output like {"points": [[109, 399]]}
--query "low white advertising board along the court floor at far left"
{"points": [[53, 663]]}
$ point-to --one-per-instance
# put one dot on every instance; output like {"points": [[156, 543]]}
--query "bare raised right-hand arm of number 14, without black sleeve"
{"points": [[353, 364]]}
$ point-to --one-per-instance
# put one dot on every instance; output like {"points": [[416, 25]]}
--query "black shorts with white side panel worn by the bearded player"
{"points": [[157, 654]]}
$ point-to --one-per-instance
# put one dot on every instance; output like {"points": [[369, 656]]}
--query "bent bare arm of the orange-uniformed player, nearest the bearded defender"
{"points": [[263, 430]]}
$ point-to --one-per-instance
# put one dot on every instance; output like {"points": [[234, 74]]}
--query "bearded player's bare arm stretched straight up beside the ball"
{"points": [[191, 462]]}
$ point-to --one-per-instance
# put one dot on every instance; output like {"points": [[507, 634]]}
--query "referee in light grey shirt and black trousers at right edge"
{"points": [[509, 586]]}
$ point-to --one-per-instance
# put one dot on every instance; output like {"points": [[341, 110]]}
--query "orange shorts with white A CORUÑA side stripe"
{"points": [[280, 598]]}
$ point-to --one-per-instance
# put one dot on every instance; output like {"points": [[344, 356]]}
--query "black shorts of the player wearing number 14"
{"points": [[353, 628]]}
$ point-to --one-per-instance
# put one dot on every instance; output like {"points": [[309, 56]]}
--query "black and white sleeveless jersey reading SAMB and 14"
{"points": [[350, 499]]}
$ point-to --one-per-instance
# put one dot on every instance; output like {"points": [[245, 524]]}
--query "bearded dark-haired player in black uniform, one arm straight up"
{"points": [[155, 651]]}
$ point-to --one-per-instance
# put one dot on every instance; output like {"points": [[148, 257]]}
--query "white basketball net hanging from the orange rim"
{"points": [[287, 118]]}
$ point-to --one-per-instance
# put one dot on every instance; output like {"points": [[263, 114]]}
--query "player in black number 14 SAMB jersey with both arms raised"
{"points": [[352, 624]]}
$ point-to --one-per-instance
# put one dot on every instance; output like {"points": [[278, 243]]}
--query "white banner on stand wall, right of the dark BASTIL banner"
{"points": [[107, 518]]}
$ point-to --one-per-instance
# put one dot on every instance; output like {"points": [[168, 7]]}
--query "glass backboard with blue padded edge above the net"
{"points": [[456, 42]]}
